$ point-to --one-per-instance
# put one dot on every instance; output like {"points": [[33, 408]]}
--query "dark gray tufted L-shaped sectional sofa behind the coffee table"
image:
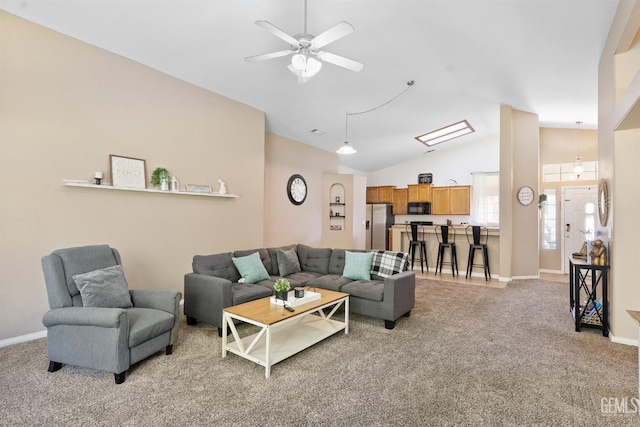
{"points": [[216, 282]]}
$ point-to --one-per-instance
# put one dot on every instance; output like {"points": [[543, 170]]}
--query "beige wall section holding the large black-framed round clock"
{"points": [[285, 223]]}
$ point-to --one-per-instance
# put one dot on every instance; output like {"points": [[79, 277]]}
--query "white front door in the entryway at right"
{"points": [[579, 219]]}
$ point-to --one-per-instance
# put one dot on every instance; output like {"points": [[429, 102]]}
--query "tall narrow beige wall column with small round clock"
{"points": [[519, 148]]}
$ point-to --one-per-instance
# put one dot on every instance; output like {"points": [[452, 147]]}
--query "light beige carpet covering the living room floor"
{"points": [[468, 355]]}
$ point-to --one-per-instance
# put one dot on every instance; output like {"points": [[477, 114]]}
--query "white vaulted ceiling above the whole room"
{"points": [[467, 57]]}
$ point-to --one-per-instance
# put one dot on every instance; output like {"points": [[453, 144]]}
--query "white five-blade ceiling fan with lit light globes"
{"points": [[306, 59]]}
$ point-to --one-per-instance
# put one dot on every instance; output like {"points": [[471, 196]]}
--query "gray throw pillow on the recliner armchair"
{"points": [[104, 288]]}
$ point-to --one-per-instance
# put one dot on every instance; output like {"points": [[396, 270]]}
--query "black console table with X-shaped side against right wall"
{"points": [[580, 287]]}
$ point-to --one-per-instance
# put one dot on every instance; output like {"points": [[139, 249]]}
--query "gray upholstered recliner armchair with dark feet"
{"points": [[101, 337]]}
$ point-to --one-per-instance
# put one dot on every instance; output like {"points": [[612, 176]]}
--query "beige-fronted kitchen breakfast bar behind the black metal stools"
{"points": [[400, 242]]}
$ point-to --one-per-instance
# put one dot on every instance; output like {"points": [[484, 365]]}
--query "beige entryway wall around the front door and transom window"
{"points": [[561, 146]]}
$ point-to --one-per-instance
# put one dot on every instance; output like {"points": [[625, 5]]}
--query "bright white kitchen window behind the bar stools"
{"points": [[485, 209]]}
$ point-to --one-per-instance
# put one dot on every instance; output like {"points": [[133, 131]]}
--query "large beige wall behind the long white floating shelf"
{"points": [[64, 107]]}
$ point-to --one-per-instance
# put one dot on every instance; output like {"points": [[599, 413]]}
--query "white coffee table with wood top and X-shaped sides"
{"points": [[282, 333]]}
